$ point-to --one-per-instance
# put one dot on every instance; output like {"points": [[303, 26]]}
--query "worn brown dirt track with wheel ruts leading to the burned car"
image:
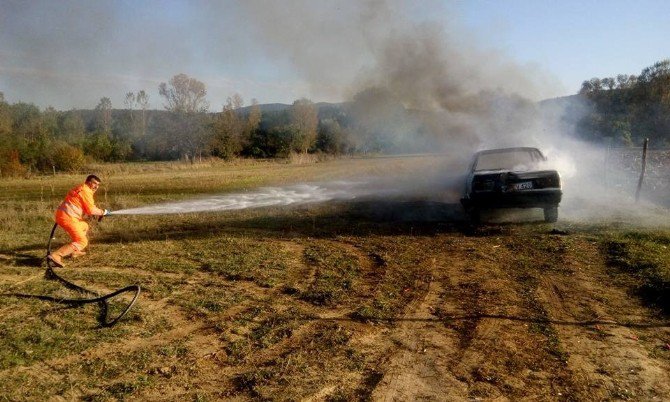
{"points": [[524, 323]]}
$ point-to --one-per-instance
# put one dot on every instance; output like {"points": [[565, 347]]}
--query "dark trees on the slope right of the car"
{"points": [[626, 109]]}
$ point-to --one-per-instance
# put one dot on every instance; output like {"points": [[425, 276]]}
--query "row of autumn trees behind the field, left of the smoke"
{"points": [[34, 140]]}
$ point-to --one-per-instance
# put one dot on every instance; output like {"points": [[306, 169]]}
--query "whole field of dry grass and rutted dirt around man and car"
{"points": [[373, 298]]}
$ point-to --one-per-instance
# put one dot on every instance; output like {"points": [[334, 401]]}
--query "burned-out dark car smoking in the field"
{"points": [[511, 178]]}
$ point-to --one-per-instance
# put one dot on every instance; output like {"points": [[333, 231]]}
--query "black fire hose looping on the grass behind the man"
{"points": [[103, 318]]}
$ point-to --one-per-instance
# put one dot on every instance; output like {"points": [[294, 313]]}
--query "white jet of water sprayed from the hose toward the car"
{"points": [[264, 197]]}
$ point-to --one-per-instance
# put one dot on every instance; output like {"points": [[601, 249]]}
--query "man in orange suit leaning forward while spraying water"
{"points": [[70, 216]]}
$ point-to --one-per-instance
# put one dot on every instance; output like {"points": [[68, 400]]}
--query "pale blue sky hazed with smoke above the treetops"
{"points": [[70, 53]]}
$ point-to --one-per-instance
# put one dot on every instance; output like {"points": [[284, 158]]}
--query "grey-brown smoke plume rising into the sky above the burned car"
{"points": [[455, 95]]}
